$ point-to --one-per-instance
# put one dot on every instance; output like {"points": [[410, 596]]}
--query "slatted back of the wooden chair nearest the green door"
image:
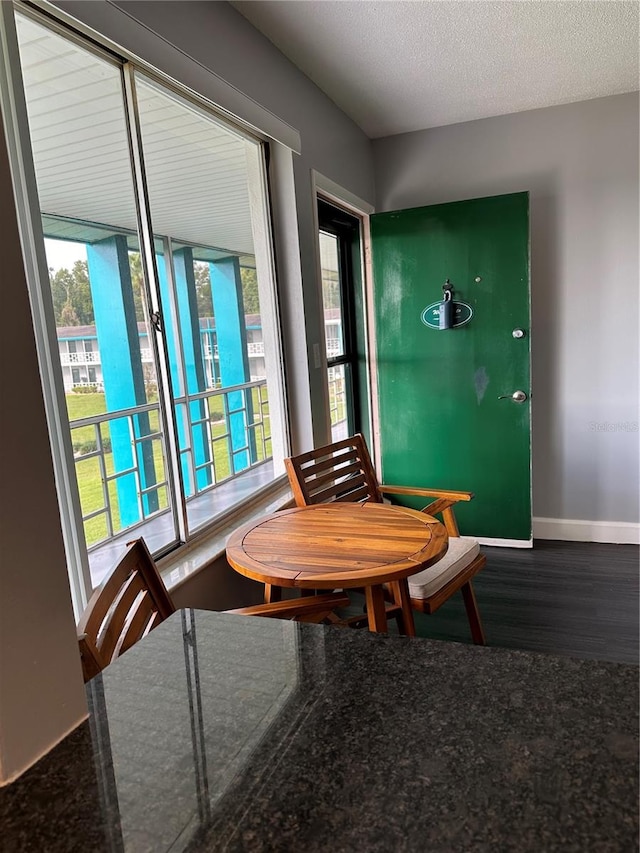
{"points": [[341, 471]]}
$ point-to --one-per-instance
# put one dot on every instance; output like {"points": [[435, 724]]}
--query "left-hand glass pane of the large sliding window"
{"points": [[81, 154]]}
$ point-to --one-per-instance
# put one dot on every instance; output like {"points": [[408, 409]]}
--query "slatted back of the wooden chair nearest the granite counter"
{"points": [[129, 604]]}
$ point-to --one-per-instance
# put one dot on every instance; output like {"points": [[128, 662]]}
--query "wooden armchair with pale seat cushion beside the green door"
{"points": [[343, 471]]}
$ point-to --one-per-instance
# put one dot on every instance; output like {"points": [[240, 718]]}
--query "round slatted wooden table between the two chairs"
{"points": [[341, 546]]}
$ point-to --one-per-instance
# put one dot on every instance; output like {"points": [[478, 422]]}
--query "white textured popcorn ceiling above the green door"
{"points": [[400, 66]]}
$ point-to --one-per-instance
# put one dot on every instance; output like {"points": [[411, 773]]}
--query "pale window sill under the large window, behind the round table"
{"points": [[184, 562]]}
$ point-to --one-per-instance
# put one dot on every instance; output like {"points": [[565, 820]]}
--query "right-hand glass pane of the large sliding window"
{"points": [[199, 177]]}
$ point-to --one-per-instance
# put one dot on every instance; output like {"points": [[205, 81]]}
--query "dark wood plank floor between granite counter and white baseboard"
{"points": [[567, 598]]}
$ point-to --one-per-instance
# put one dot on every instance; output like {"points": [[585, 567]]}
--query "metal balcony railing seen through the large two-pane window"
{"points": [[209, 413]]}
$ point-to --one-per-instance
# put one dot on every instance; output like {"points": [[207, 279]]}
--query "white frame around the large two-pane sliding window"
{"points": [[32, 239]]}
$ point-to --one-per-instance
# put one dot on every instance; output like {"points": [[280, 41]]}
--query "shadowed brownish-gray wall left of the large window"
{"points": [[41, 693]]}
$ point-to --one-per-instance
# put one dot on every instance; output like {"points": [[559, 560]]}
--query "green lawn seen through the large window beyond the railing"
{"points": [[88, 473]]}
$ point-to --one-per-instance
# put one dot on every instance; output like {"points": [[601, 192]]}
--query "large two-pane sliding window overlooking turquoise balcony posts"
{"points": [[161, 291]]}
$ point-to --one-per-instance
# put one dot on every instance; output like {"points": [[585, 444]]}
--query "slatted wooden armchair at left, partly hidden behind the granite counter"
{"points": [[133, 600]]}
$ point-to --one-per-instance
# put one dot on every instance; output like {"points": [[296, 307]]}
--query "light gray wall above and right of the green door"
{"points": [[580, 164]]}
